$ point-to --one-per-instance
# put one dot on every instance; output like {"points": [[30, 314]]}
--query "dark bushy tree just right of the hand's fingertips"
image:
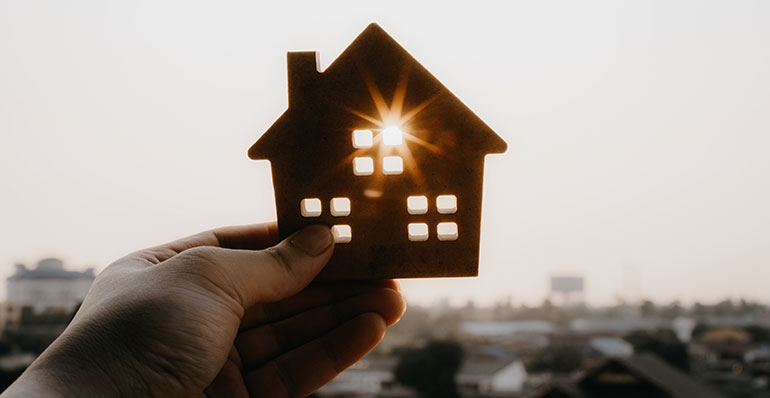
{"points": [[431, 370]]}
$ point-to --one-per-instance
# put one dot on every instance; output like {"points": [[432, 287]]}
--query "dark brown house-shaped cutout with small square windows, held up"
{"points": [[378, 149]]}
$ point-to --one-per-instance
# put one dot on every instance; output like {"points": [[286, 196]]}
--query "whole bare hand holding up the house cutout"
{"points": [[225, 313]]}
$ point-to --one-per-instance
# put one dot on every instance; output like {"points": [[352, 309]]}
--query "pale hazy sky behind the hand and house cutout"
{"points": [[638, 132]]}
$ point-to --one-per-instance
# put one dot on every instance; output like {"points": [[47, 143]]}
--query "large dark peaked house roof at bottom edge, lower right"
{"points": [[640, 376]]}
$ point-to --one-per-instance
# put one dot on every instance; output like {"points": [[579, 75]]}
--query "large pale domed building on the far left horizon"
{"points": [[48, 286]]}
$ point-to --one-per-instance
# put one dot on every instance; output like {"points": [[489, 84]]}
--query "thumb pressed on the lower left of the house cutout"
{"points": [[267, 275]]}
